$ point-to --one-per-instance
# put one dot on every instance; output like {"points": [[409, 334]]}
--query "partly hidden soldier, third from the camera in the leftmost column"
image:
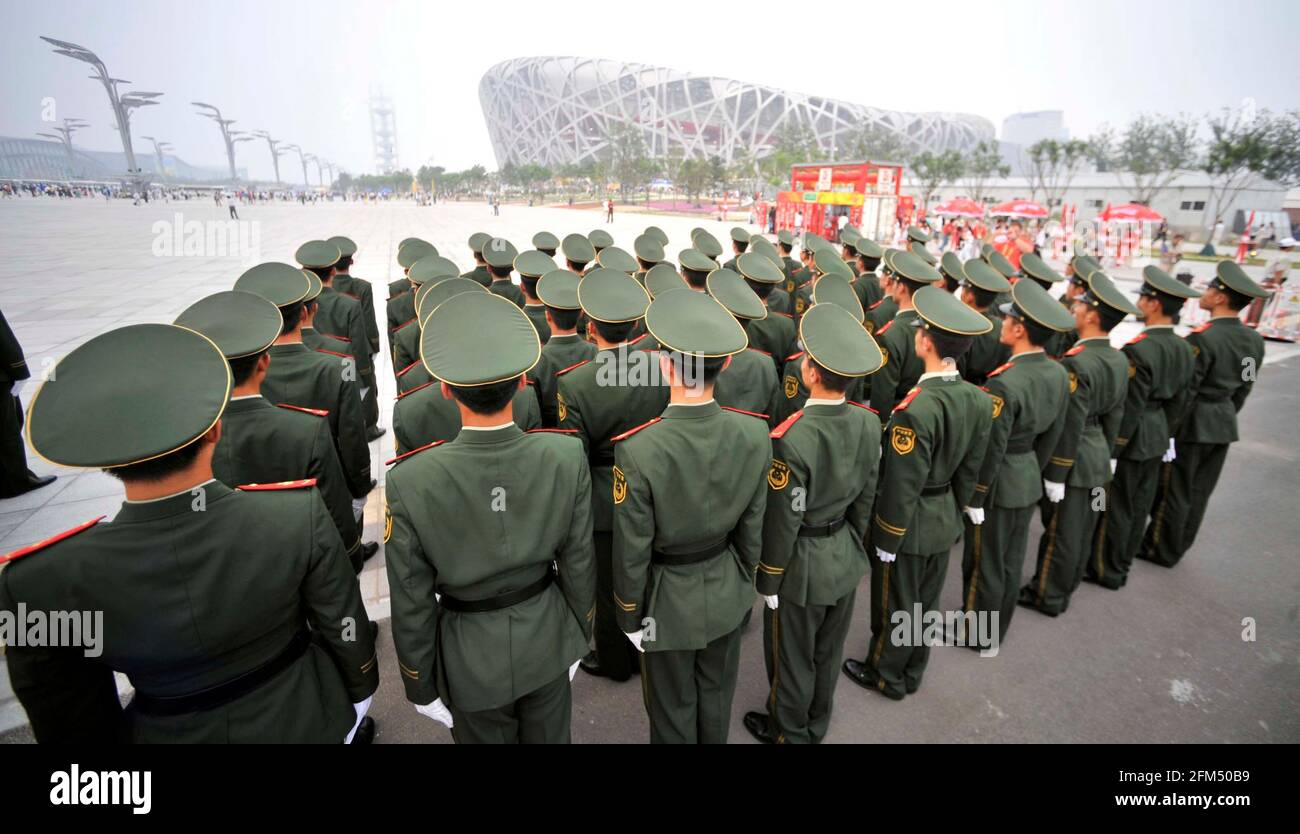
{"points": [[305, 379]]}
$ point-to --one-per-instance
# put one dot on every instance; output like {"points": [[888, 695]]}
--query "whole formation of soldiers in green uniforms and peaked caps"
{"points": [[603, 466]]}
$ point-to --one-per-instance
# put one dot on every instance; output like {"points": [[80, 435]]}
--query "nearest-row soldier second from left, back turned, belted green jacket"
{"points": [[489, 544]]}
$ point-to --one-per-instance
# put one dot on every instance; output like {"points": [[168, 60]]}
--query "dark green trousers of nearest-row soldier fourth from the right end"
{"points": [[993, 562]]}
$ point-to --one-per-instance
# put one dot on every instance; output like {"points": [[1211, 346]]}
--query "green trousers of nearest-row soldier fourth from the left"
{"points": [[804, 646]]}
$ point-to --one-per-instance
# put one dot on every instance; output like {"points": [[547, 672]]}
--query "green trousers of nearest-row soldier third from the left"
{"points": [[688, 693]]}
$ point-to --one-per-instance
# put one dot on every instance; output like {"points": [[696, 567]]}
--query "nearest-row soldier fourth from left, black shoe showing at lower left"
{"points": [[821, 489]]}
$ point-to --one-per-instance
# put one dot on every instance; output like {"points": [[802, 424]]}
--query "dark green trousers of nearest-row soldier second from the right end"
{"points": [[1129, 498]]}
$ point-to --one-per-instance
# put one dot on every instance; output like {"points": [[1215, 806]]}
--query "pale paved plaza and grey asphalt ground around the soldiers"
{"points": [[1164, 661]]}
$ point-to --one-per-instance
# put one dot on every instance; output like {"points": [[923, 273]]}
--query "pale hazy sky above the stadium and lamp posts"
{"points": [[304, 71]]}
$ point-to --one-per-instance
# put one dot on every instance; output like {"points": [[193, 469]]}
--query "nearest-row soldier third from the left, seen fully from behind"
{"points": [[688, 505]]}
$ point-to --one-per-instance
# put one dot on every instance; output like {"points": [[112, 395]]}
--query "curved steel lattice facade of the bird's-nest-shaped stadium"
{"points": [[556, 111]]}
